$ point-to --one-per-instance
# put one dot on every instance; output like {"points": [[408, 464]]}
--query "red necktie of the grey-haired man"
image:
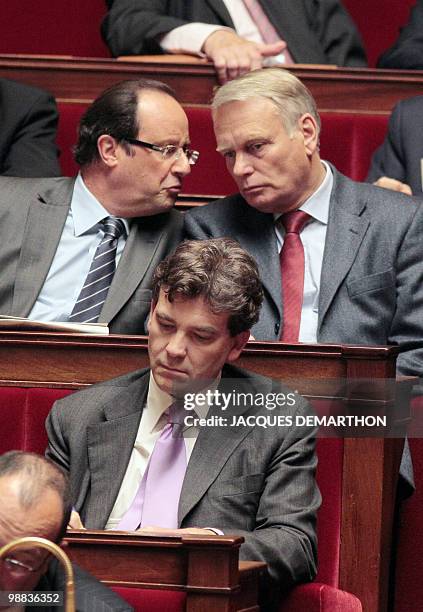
{"points": [[292, 273]]}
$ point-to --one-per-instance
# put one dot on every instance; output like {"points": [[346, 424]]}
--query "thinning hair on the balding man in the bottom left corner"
{"points": [[36, 474]]}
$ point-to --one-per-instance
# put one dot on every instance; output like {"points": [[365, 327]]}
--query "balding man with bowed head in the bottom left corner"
{"points": [[35, 501]]}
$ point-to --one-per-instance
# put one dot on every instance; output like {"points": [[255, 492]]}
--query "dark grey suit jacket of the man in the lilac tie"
{"points": [[246, 480]]}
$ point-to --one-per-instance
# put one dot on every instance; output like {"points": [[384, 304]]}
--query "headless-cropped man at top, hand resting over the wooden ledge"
{"points": [[308, 32]]}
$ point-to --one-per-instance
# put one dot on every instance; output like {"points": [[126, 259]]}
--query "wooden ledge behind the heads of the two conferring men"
{"points": [[345, 89]]}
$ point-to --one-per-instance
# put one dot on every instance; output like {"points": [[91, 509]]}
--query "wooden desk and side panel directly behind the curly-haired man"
{"points": [[370, 466]]}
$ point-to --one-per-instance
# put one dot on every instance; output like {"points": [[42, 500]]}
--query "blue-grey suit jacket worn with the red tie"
{"points": [[371, 286]]}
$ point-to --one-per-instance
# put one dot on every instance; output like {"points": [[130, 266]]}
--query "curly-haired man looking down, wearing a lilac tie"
{"points": [[227, 475]]}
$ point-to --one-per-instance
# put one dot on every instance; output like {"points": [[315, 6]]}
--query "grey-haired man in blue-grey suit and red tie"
{"points": [[361, 246]]}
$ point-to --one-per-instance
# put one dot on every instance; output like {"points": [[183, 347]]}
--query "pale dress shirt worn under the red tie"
{"points": [[313, 238]]}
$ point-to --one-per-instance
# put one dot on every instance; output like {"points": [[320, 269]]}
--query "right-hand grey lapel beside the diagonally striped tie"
{"points": [[144, 238]]}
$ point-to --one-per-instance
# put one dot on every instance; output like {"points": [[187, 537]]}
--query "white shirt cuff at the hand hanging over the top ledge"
{"points": [[189, 38]]}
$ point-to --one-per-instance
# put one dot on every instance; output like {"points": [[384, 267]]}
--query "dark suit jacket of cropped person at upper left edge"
{"points": [[28, 120]]}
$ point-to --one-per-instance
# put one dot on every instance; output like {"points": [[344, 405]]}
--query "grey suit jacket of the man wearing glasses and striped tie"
{"points": [[32, 216]]}
